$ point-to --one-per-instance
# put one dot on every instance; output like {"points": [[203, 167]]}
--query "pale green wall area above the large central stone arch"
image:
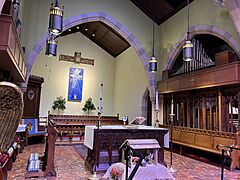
{"points": [[123, 11]]}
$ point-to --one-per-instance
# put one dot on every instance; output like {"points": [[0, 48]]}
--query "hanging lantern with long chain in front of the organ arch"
{"points": [[188, 46]]}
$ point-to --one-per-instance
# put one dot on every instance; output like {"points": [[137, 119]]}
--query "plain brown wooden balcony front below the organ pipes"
{"points": [[212, 77]]}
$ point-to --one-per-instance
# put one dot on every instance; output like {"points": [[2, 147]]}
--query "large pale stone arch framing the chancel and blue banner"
{"points": [[107, 19]]}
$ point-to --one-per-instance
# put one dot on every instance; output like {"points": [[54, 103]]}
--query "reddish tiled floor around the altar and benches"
{"points": [[70, 166]]}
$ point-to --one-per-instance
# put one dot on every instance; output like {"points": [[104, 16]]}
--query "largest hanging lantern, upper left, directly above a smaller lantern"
{"points": [[55, 19]]}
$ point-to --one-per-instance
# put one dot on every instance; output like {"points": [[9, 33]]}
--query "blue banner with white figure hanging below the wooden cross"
{"points": [[75, 84]]}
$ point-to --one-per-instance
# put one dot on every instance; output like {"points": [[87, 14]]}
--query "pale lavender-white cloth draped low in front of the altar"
{"points": [[150, 172]]}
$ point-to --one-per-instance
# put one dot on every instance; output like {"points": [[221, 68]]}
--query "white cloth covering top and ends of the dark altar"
{"points": [[89, 133]]}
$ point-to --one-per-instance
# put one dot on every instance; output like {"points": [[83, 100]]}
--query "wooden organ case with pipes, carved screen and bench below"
{"points": [[206, 97]]}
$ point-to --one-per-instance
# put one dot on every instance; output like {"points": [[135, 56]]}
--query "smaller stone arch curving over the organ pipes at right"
{"points": [[201, 29]]}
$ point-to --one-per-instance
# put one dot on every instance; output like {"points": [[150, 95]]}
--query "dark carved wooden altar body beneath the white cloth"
{"points": [[110, 139]]}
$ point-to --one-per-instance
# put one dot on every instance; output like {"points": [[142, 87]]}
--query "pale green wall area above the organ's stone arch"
{"points": [[202, 12]]}
